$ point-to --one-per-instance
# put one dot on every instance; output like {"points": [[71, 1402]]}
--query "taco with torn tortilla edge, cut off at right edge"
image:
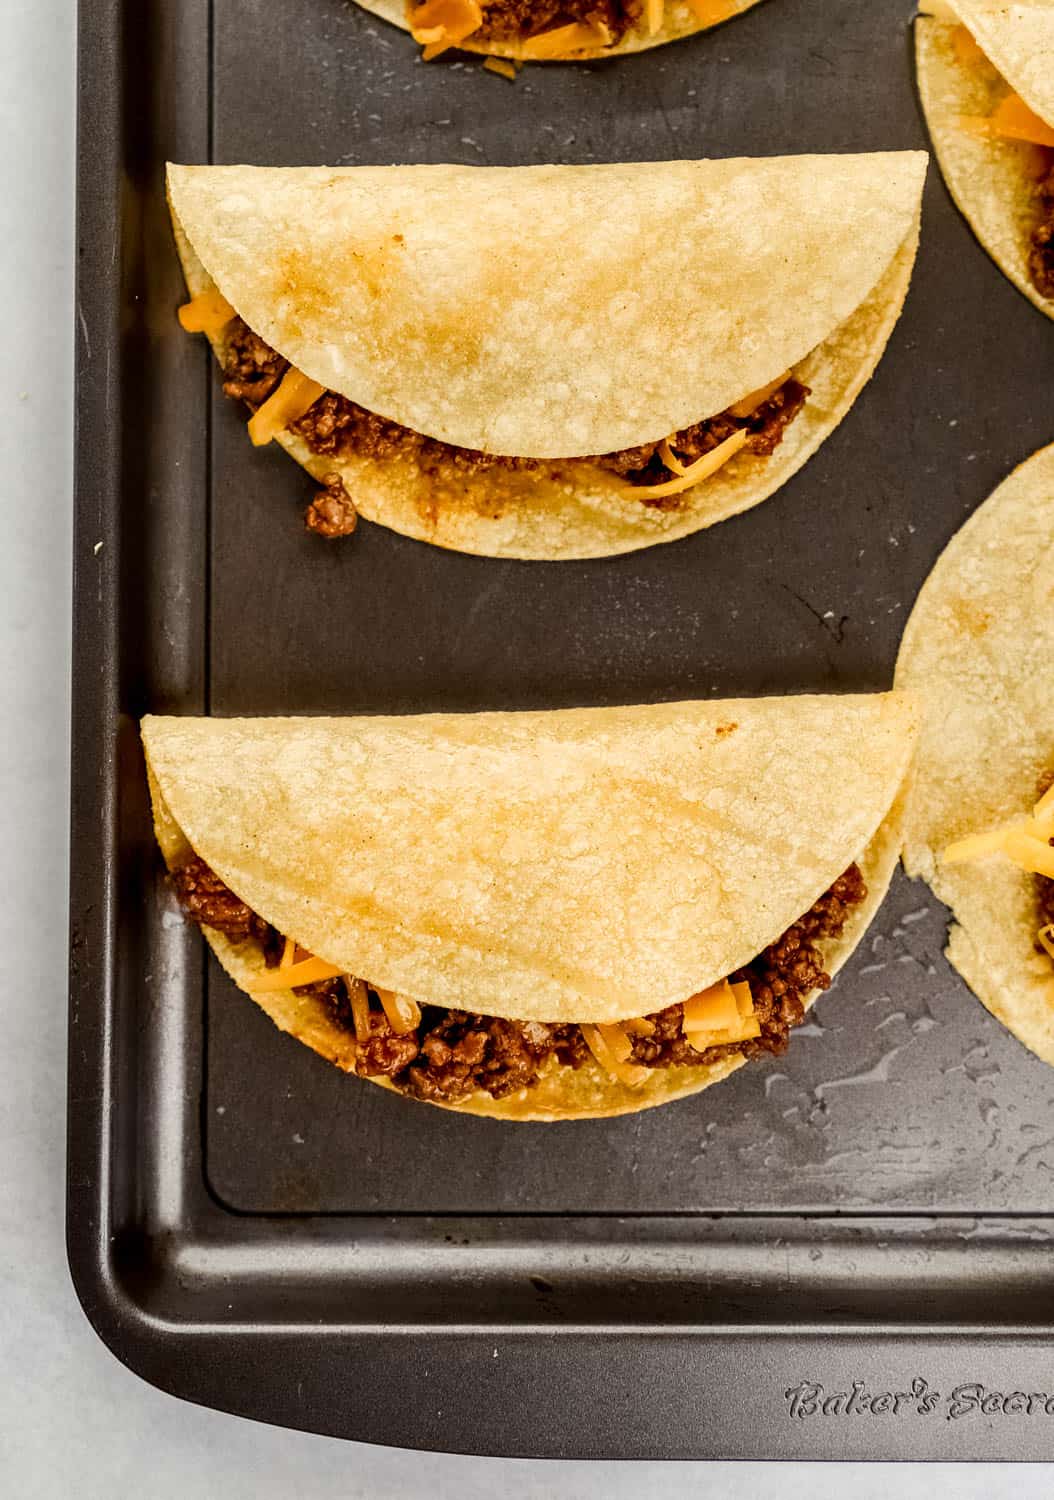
{"points": [[981, 817]]}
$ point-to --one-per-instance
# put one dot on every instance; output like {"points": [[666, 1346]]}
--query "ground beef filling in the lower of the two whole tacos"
{"points": [[455, 1054]]}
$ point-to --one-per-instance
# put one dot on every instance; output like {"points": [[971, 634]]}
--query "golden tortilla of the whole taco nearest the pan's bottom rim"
{"points": [[585, 865]]}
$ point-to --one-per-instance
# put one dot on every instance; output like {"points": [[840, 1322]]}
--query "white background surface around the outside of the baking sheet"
{"points": [[73, 1421]]}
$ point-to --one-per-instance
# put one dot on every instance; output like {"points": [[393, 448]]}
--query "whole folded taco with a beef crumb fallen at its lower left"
{"points": [[548, 362]]}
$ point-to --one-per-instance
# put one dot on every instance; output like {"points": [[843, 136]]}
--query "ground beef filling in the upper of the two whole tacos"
{"points": [[338, 428]]}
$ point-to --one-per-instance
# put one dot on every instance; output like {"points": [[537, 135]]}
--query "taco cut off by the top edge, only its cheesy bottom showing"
{"points": [[552, 31]]}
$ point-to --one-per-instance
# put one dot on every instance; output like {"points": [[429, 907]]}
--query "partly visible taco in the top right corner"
{"points": [[987, 83]]}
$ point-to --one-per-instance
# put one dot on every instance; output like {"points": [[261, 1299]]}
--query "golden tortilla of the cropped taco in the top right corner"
{"points": [[992, 181]]}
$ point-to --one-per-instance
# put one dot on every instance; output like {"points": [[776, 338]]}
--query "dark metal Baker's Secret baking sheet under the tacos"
{"points": [[251, 1229]]}
